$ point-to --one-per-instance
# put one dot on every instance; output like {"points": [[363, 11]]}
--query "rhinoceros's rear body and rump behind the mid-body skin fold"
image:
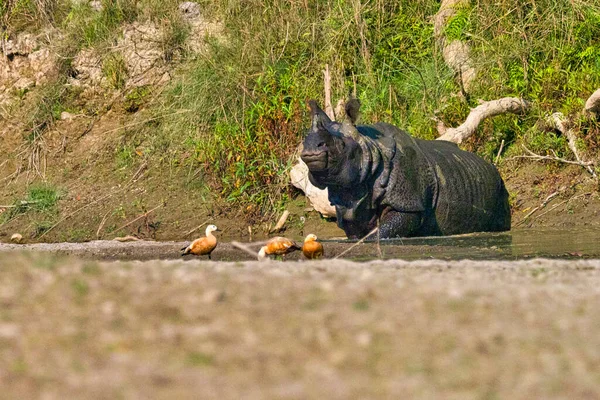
{"points": [[470, 195]]}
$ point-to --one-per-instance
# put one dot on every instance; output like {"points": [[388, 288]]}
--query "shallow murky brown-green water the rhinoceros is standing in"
{"points": [[516, 244]]}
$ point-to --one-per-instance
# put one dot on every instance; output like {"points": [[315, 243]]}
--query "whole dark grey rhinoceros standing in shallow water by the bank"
{"points": [[379, 175]]}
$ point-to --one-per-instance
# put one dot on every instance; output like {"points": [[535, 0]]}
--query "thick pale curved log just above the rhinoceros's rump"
{"points": [[481, 112]]}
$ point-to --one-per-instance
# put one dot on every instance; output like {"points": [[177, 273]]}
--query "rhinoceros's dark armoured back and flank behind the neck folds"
{"points": [[456, 191]]}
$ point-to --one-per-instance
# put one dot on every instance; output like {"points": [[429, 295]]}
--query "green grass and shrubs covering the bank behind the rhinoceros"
{"points": [[235, 112]]}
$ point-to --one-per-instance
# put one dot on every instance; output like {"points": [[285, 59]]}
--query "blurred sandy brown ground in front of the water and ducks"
{"points": [[75, 328]]}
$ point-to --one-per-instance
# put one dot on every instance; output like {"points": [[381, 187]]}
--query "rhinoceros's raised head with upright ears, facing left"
{"points": [[332, 149]]}
